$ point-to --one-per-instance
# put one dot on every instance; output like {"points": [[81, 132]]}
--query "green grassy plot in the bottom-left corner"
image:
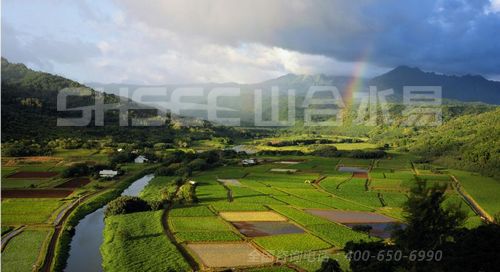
{"points": [[21, 253]]}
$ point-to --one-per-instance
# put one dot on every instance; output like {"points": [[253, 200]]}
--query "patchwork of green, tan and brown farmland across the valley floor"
{"points": [[238, 209]]}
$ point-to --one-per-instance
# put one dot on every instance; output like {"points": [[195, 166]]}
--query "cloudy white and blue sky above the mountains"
{"points": [[189, 41]]}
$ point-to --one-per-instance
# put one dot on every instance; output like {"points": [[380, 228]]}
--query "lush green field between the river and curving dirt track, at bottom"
{"points": [[136, 242]]}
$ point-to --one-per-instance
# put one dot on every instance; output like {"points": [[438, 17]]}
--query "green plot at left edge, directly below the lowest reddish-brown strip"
{"points": [[18, 211]]}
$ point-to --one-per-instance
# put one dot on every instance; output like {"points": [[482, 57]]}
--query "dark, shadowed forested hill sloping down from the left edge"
{"points": [[29, 112]]}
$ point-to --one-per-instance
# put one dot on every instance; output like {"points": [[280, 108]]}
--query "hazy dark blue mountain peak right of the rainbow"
{"points": [[468, 88]]}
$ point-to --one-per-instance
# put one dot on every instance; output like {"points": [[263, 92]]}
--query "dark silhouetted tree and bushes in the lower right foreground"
{"points": [[431, 227]]}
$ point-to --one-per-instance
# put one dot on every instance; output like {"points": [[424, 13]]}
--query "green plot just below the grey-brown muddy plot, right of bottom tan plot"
{"points": [[291, 244]]}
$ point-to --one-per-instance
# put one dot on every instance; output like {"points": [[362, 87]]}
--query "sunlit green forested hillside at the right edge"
{"points": [[469, 142]]}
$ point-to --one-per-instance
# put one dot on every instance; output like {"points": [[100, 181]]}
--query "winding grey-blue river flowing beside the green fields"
{"points": [[84, 255]]}
